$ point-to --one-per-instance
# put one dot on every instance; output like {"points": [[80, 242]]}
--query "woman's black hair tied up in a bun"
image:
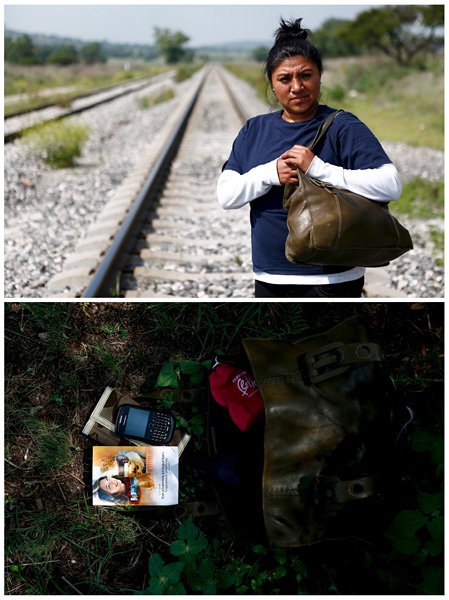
{"points": [[291, 40]]}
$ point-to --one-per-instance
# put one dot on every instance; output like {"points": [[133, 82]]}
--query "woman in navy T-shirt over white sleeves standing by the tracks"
{"points": [[271, 147]]}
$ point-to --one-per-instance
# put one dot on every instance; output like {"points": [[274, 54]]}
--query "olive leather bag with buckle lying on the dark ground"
{"points": [[319, 462]]}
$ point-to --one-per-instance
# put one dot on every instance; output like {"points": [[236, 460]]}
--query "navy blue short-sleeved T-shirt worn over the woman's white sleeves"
{"points": [[348, 143]]}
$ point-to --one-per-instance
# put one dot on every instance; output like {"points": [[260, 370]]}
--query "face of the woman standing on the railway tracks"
{"points": [[296, 83]]}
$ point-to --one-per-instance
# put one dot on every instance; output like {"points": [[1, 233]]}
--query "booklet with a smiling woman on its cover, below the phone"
{"points": [[135, 475]]}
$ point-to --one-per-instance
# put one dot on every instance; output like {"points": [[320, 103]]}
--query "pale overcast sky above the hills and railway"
{"points": [[202, 23]]}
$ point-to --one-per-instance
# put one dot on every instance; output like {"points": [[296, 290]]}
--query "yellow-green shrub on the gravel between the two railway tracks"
{"points": [[59, 142]]}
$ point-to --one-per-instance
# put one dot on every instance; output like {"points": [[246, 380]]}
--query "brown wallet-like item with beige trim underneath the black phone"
{"points": [[101, 423]]}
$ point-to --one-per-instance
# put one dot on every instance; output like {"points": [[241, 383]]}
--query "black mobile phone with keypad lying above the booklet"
{"points": [[145, 424]]}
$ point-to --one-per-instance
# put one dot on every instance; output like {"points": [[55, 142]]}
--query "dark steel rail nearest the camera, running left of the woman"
{"points": [[104, 280]]}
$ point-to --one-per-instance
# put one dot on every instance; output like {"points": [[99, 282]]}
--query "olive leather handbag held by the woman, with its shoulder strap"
{"points": [[331, 226]]}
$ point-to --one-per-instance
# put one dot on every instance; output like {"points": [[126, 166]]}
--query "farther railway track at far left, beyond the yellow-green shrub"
{"points": [[19, 123]]}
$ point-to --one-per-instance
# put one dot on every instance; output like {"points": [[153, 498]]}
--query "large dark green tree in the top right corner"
{"points": [[401, 32]]}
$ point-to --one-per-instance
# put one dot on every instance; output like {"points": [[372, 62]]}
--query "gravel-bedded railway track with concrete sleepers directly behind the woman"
{"points": [[174, 240]]}
